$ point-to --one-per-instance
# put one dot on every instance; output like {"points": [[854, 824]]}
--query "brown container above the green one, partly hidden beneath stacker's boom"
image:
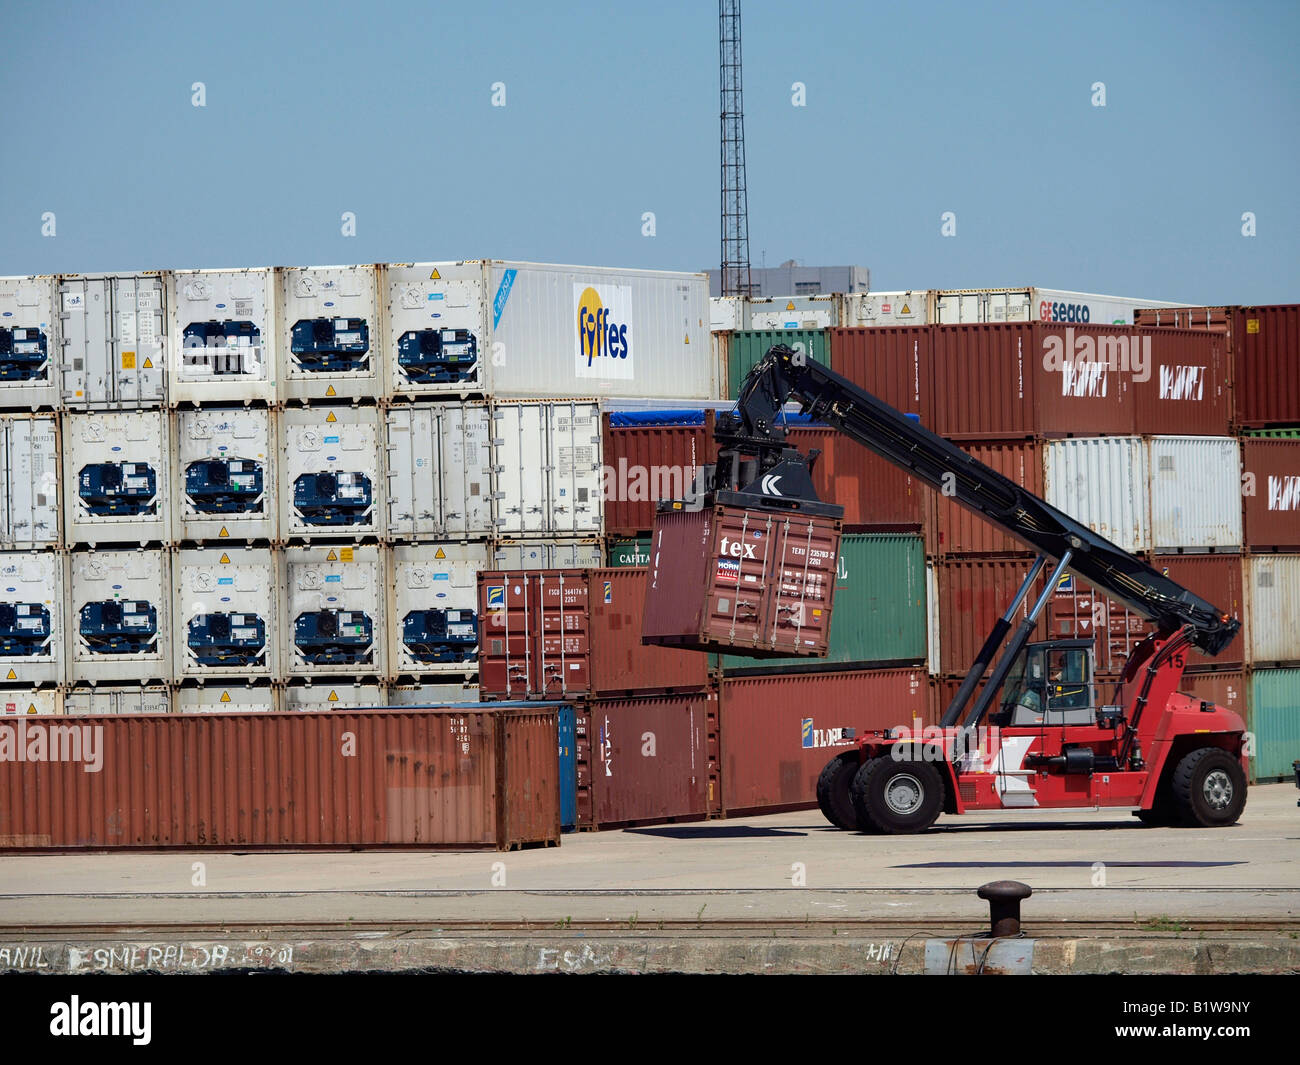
{"points": [[873, 492]]}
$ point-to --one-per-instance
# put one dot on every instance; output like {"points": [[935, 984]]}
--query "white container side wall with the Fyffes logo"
{"points": [[587, 331]]}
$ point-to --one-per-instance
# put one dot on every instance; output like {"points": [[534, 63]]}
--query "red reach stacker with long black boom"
{"points": [[1034, 734]]}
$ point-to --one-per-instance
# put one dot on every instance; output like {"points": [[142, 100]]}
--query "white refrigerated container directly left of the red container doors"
{"points": [[435, 609]]}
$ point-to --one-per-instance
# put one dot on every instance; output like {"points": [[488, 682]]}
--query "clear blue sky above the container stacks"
{"points": [[612, 110]]}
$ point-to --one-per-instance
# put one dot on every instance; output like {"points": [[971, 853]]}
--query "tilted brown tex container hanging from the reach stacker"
{"points": [[753, 582]]}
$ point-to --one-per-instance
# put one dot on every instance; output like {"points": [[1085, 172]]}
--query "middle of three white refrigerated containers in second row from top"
{"points": [[227, 475]]}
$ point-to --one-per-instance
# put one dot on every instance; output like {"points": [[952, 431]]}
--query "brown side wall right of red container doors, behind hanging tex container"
{"points": [[621, 663]]}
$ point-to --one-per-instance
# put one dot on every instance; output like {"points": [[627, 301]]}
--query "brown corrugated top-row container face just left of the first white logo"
{"points": [[985, 380]]}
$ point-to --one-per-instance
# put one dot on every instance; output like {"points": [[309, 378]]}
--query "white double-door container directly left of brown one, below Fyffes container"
{"points": [[549, 469]]}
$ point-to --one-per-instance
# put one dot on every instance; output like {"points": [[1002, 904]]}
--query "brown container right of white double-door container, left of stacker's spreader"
{"points": [[647, 464]]}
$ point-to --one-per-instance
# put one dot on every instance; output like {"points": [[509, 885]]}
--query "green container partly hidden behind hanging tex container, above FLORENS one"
{"points": [[879, 613]]}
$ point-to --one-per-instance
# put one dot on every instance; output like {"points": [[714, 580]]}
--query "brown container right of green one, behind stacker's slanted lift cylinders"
{"points": [[973, 595]]}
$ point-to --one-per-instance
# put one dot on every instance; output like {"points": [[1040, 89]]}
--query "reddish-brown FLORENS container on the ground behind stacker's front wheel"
{"points": [[778, 733]]}
